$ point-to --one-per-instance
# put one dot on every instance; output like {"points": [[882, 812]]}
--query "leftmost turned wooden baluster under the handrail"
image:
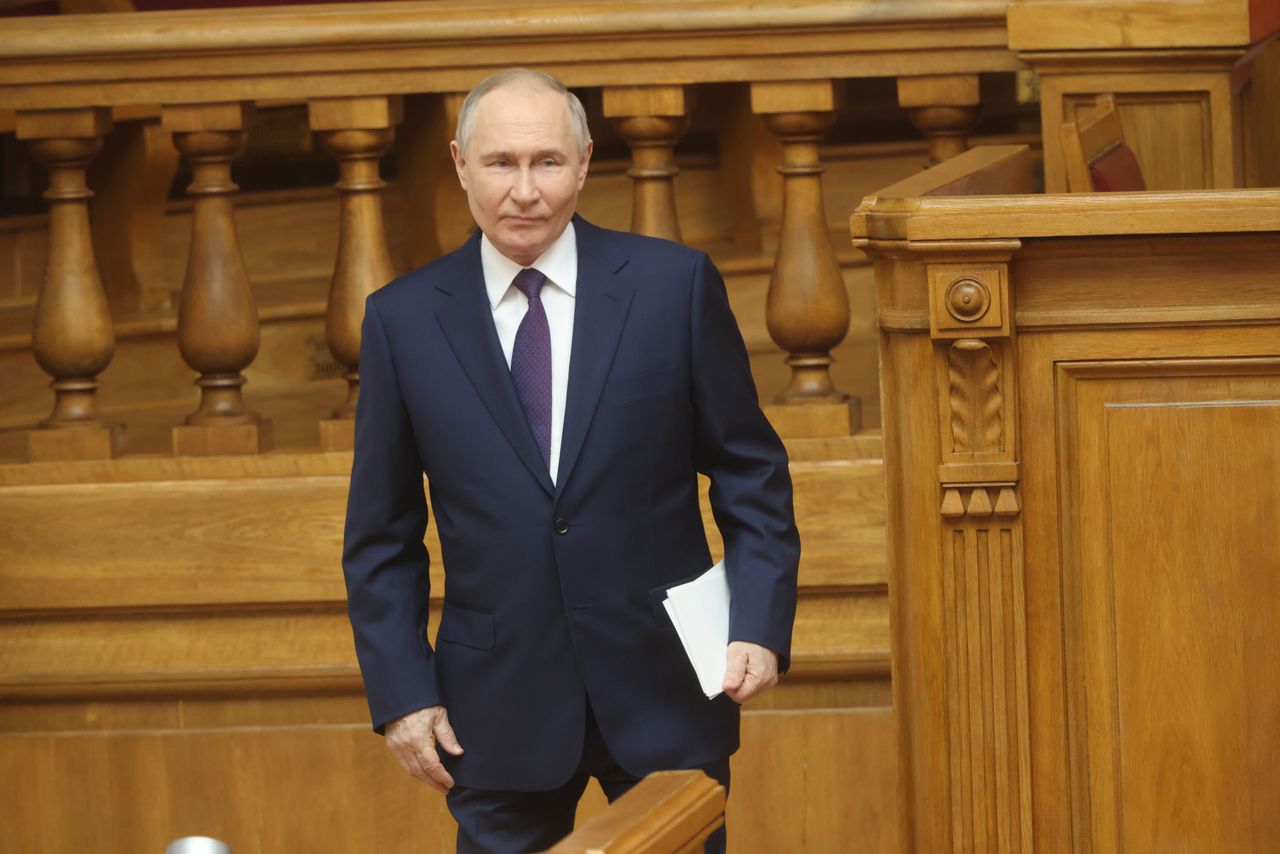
{"points": [[74, 340]]}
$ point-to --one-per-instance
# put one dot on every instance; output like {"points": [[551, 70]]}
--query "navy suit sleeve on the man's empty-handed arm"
{"points": [[385, 560]]}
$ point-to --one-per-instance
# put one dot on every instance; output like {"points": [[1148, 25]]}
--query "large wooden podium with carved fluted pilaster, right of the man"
{"points": [[1082, 440]]}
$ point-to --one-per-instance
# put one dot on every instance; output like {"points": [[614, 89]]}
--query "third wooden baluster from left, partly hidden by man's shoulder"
{"points": [[358, 131]]}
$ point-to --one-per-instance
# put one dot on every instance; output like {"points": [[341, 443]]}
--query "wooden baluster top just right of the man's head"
{"points": [[651, 120]]}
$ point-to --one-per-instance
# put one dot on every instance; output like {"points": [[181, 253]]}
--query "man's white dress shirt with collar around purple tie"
{"points": [[560, 266]]}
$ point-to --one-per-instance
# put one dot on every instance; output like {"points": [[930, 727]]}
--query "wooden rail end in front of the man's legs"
{"points": [[666, 812]]}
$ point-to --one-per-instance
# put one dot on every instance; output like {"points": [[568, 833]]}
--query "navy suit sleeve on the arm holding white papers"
{"points": [[751, 485]]}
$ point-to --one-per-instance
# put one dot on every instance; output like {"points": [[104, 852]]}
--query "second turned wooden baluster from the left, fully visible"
{"points": [[218, 331]]}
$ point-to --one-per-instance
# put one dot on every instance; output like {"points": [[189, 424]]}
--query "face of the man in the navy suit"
{"points": [[522, 170]]}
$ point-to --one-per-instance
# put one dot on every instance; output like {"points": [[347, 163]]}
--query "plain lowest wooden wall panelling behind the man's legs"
{"points": [[803, 782]]}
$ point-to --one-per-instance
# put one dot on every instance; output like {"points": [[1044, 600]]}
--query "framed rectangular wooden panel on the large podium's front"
{"points": [[1173, 567]]}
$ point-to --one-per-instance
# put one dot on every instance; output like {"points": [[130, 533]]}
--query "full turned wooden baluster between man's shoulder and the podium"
{"points": [[808, 307]]}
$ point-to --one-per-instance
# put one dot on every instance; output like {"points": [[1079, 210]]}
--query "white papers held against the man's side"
{"points": [[700, 611]]}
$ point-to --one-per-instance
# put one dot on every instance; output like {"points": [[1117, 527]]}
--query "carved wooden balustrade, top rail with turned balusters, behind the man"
{"points": [[354, 68]]}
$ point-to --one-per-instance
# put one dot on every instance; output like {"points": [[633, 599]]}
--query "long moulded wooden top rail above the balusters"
{"points": [[447, 47]]}
